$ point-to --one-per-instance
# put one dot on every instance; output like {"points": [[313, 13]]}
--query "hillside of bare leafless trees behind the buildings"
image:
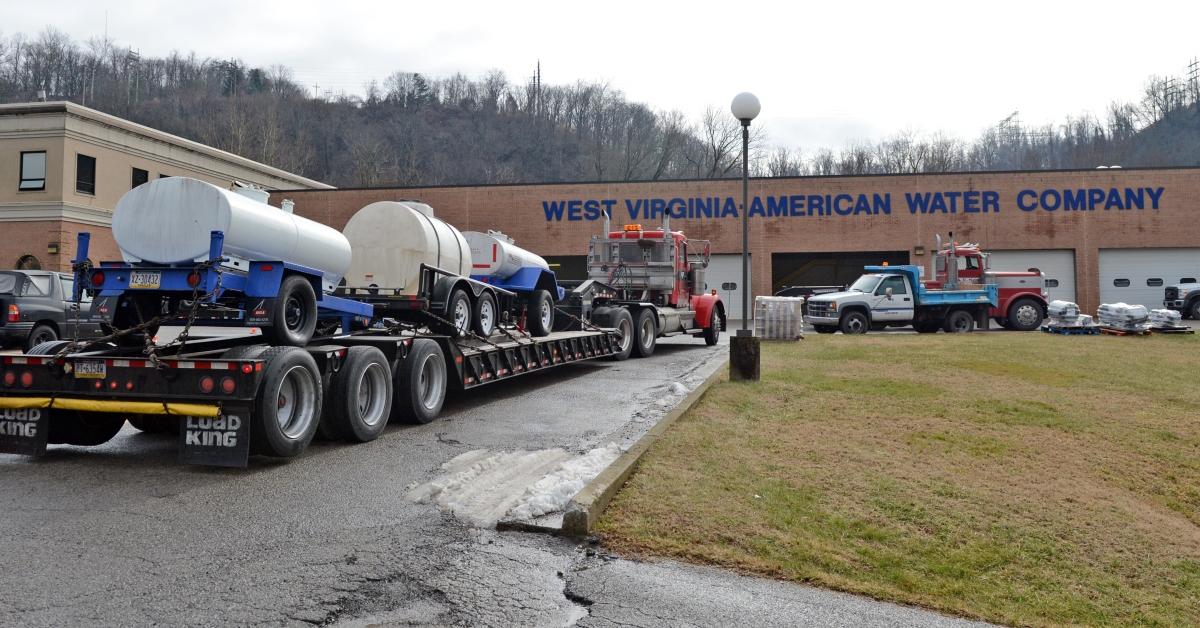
{"points": [[412, 129]]}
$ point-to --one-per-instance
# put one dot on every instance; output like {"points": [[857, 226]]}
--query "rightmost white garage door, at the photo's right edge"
{"points": [[1138, 276]]}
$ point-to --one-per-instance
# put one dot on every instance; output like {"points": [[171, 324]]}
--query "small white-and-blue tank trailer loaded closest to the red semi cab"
{"points": [[500, 262]]}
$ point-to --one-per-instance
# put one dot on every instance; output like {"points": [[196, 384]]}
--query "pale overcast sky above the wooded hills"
{"points": [[826, 75]]}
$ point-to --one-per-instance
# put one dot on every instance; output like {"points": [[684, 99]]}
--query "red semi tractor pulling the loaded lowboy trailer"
{"points": [[646, 284]]}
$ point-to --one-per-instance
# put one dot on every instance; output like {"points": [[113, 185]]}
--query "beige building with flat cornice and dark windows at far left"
{"points": [[44, 224]]}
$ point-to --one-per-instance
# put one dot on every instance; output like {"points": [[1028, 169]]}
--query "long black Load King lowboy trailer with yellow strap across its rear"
{"points": [[235, 397]]}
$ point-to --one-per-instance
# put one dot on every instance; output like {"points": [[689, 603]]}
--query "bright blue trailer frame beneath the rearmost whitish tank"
{"points": [[261, 280]]}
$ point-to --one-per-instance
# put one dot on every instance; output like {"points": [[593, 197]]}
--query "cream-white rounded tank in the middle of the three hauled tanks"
{"points": [[392, 240]]}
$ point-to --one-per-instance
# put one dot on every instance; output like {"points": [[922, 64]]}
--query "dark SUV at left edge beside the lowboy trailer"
{"points": [[35, 307]]}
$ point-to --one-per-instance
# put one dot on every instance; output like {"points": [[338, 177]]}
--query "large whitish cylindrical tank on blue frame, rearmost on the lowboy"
{"points": [[169, 222]]}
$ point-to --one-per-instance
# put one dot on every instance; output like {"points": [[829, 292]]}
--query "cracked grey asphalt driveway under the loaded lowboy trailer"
{"points": [[122, 535]]}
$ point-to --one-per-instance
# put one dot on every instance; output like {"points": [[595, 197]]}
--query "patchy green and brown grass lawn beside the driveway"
{"points": [[1019, 479]]}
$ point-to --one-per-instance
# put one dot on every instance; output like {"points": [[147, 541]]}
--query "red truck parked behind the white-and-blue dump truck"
{"points": [[1023, 296]]}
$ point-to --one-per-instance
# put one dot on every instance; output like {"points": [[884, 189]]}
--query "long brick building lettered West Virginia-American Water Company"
{"points": [[1100, 236]]}
